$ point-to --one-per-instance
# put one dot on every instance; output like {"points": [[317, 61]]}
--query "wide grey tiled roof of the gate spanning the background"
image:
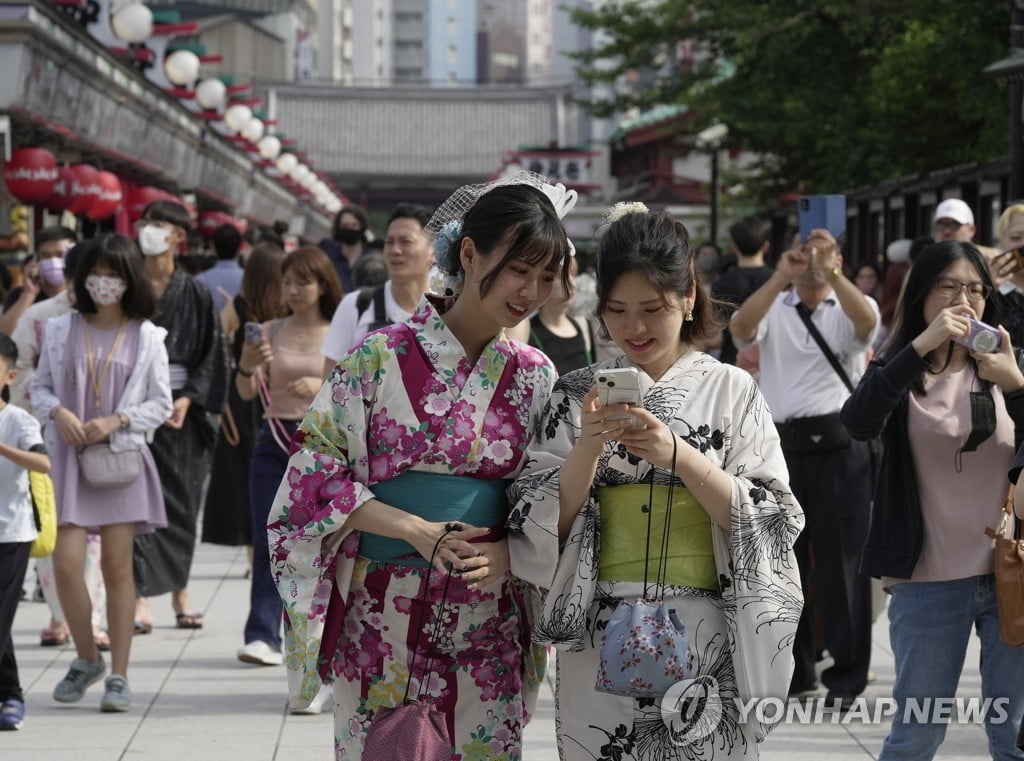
{"points": [[390, 133]]}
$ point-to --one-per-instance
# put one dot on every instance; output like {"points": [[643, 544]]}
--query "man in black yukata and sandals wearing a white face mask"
{"points": [[184, 445]]}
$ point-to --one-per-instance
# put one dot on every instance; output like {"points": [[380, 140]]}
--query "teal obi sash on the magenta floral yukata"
{"points": [[438, 498]]}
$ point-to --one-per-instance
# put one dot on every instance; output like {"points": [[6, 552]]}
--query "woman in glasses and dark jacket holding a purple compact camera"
{"points": [[950, 406]]}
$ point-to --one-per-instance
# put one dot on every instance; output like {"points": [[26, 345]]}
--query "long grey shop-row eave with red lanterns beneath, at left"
{"points": [[66, 94]]}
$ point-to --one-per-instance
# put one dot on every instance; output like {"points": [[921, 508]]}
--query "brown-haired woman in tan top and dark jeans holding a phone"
{"points": [[282, 362]]}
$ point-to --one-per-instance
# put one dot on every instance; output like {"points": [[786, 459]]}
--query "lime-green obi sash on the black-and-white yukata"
{"points": [[624, 537]]}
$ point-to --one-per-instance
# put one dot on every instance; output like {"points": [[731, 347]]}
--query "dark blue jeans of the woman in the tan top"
{"points": [[269, 466]]}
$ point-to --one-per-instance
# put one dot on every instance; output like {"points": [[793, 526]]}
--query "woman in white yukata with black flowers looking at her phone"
{"points": [[581, 509]]}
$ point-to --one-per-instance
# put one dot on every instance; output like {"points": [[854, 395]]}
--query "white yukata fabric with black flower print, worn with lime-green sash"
{"points": [[742, 637]]}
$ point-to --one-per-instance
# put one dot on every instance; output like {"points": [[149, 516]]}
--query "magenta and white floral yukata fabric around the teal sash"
{"points": [[406, 398]]}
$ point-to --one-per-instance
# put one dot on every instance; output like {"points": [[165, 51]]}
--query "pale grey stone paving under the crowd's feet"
{"points": [[195, 702]]}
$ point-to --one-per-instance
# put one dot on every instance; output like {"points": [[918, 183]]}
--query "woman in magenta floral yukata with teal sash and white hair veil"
{"points": [[423, 424]]}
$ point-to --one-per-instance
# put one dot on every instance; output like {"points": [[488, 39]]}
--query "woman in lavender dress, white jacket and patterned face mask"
{"points": [[103, 378]]}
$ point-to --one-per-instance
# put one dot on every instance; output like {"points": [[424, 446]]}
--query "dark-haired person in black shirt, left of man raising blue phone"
{"points": [[750, 243]]}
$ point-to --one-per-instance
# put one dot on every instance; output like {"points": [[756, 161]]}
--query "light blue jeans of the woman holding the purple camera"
{"points": [[929, 626]]}
